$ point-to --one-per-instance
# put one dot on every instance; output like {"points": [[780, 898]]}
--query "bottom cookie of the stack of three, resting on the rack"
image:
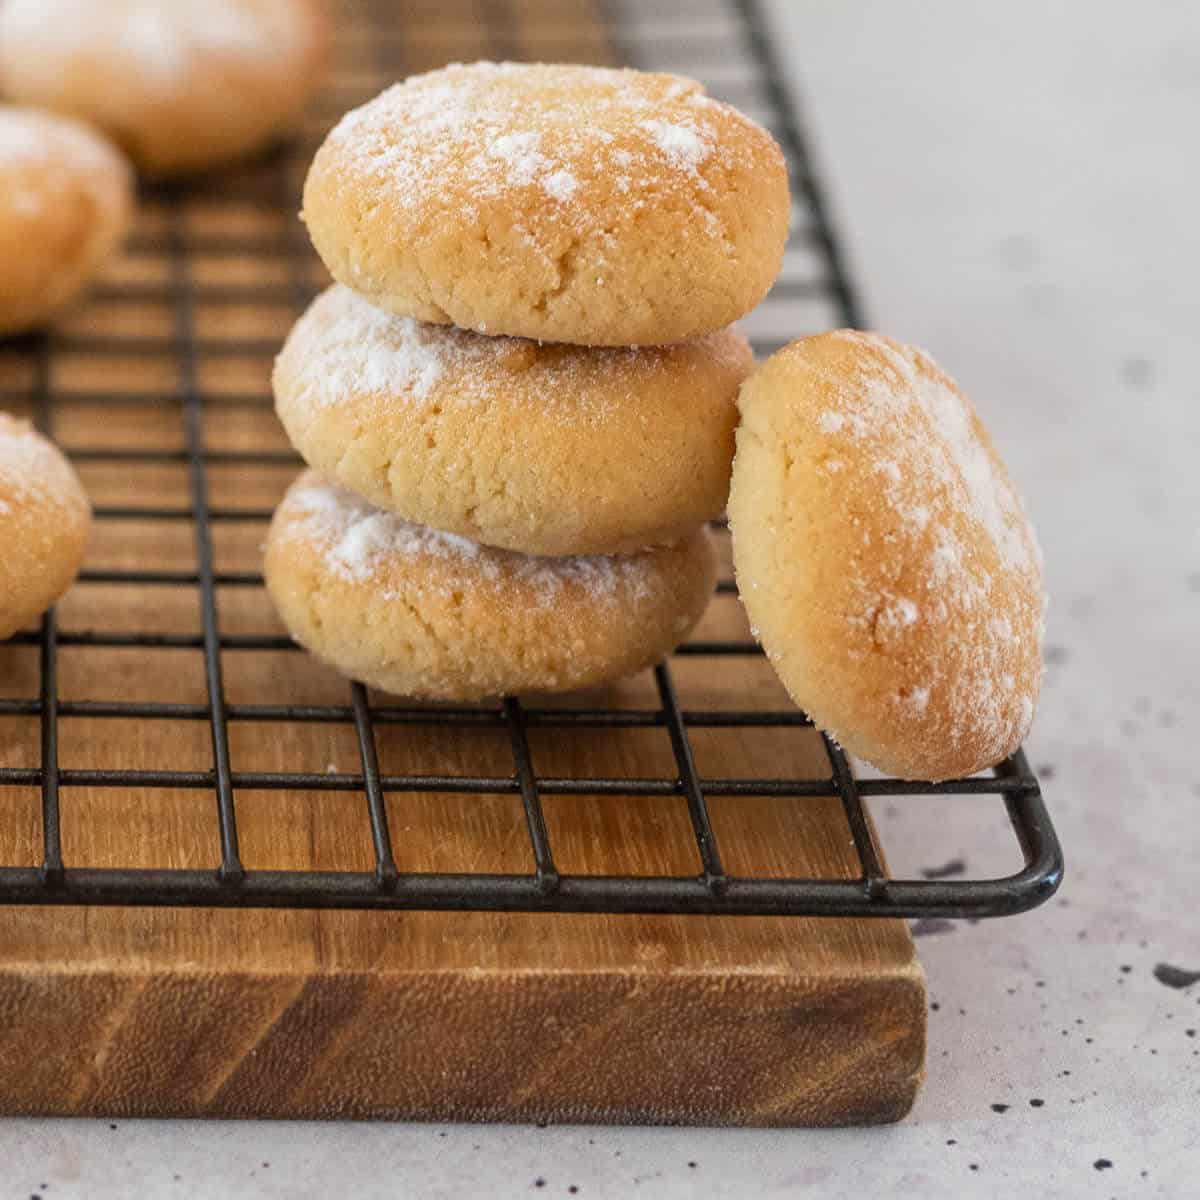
{"points": [[430, 615]]}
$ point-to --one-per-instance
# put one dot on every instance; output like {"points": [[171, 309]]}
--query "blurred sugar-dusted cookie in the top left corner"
{"points": [[183, 87]]}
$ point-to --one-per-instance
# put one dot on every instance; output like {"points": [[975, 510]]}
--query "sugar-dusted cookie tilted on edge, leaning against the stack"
{"points": [[885, 557]]}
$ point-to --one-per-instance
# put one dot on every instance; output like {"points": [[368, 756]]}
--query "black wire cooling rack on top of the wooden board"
{"points": [[728, 45]]}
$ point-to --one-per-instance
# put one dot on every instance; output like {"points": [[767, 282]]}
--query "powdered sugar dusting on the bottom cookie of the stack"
{"points": [[361, 544]]}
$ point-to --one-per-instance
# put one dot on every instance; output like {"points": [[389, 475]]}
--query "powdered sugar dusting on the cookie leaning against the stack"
{"points": [[949, 496]]}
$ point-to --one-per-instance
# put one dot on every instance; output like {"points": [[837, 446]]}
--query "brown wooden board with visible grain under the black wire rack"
{"points": [[424, 1016]]}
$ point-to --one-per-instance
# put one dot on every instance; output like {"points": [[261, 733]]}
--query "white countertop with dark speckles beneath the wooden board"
{"points": [[1018, 188]]}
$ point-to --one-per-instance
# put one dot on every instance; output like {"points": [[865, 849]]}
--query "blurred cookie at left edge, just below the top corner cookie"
{"points": [[67, 200]]}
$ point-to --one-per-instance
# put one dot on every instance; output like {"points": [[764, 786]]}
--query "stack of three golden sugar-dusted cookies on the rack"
{"points": [[519, 398]]}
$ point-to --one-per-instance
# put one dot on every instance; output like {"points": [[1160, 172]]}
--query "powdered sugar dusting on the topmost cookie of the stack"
{"points": [[507, 127]]}
